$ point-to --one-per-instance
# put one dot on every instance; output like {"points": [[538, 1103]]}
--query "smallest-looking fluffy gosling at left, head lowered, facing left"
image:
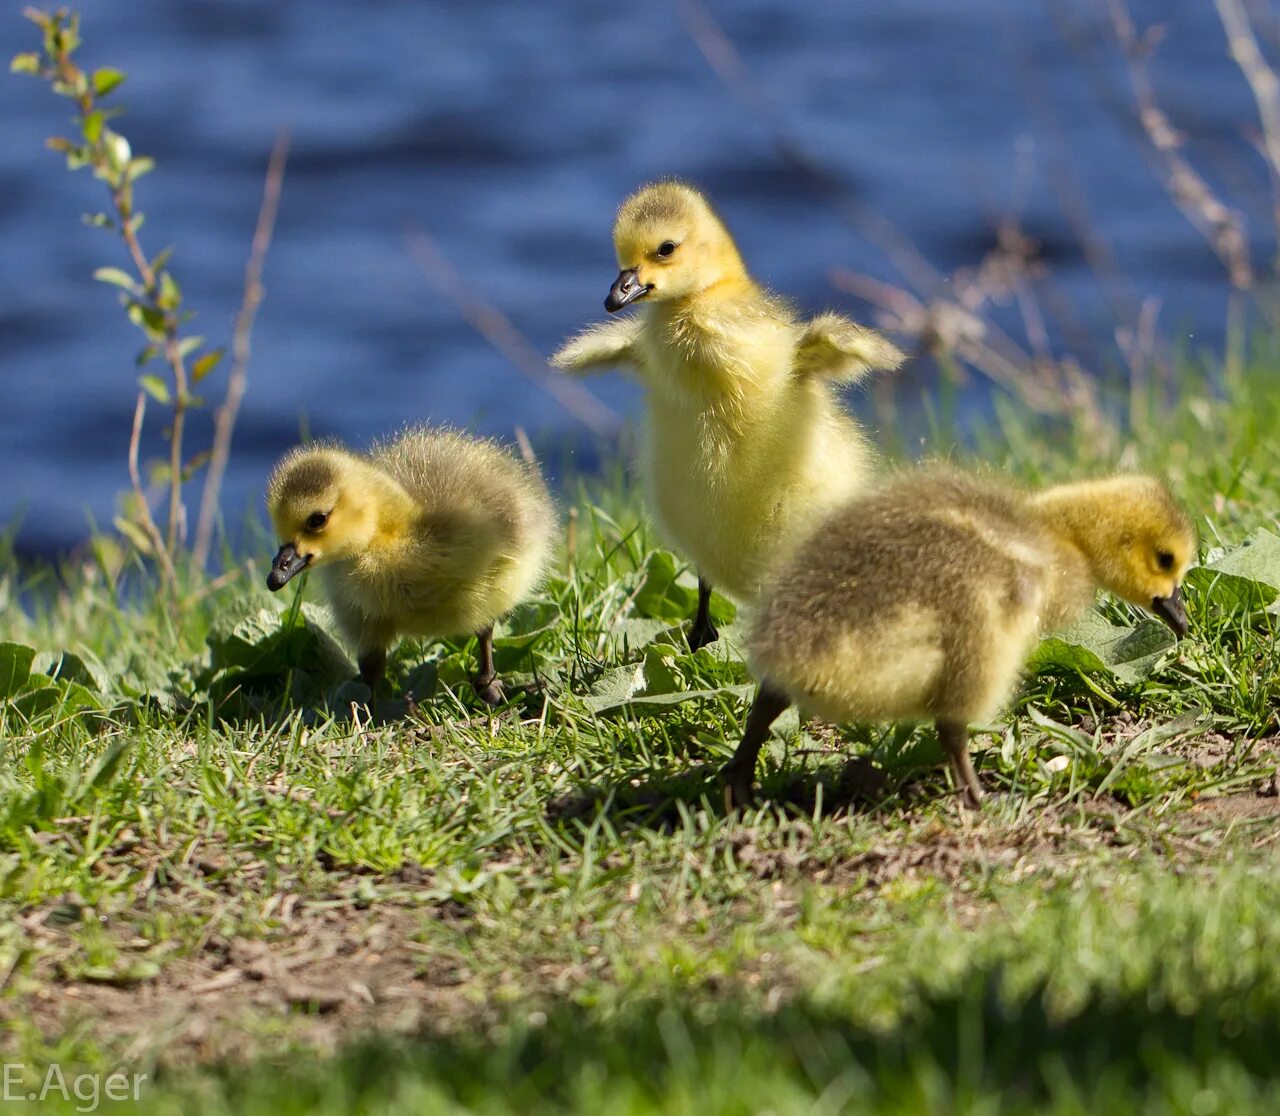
{"points": [[433, 534]]}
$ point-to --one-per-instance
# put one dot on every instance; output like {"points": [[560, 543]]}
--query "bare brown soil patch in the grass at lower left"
{"points": [[336, 972]]}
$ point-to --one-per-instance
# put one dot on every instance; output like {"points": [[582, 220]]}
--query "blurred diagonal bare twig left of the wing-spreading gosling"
{"points": [[502, 335]]}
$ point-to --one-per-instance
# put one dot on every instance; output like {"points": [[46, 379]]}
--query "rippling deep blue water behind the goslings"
{"points": [[510, 131]]}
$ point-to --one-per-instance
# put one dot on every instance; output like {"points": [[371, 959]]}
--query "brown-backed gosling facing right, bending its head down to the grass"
{"points": [[926, 600]]}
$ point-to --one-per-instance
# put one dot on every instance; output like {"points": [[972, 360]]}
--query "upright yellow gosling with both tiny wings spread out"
{"points": [[746, 443]]}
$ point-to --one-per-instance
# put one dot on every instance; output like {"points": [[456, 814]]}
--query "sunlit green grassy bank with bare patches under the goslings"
{"points": [[220, 868]]}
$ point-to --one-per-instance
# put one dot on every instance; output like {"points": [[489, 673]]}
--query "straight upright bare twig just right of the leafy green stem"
{"points": [[225, 423]]}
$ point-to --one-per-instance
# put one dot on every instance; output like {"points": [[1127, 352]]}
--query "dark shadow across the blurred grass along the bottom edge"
{"points": [[1116, 1053]]}
